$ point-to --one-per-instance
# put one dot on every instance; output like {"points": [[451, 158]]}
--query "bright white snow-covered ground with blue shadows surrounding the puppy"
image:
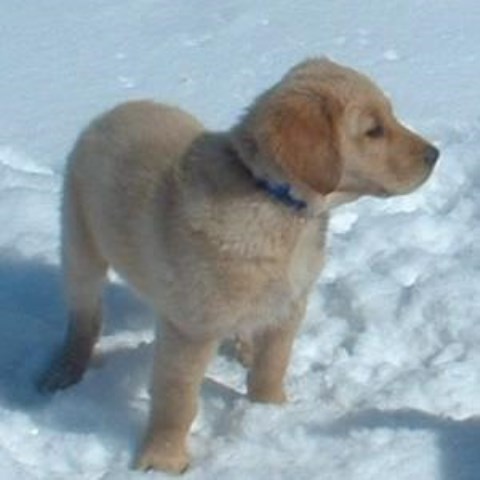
{"points": [[385, 376]]}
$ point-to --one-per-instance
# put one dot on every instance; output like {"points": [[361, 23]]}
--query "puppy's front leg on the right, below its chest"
{"points": [[271, 355]]}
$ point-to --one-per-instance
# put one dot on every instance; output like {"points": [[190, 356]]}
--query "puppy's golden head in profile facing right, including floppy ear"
{"points": [[329, 129]]}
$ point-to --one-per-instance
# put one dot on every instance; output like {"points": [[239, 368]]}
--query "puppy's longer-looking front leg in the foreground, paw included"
{"points": [[180, 364]]}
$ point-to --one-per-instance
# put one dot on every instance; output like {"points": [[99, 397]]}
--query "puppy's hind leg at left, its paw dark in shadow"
{"points": [[84, 273]]}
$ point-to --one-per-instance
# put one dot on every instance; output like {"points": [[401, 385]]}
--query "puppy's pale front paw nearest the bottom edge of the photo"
{"points": [[166, 459]]}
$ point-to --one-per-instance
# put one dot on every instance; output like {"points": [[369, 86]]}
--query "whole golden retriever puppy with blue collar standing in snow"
{"points": [[222, 233]]}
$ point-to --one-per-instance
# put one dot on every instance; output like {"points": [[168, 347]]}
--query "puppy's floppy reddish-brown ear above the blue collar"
{"points": [[299, 133]]}
